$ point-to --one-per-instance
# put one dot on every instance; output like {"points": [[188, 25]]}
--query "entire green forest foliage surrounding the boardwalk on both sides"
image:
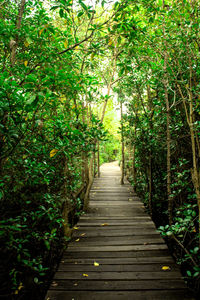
{"points": [[63, 64]]}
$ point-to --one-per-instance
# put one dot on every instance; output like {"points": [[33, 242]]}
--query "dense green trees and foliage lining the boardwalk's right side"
{"points": [[161, 125]]}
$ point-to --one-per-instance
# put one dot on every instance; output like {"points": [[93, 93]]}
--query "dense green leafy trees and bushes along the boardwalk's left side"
{"points": [[47, 134]]}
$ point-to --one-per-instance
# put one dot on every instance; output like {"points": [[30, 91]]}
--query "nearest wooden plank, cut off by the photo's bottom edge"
{"points": [[120, 295]]}
